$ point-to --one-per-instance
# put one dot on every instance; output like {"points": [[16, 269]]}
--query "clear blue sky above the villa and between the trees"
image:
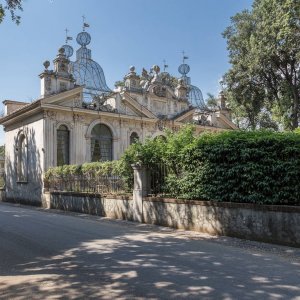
{"points": [[124, 33]]}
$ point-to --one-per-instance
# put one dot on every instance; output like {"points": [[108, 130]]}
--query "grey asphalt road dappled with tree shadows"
{"points": [[52, 255]]}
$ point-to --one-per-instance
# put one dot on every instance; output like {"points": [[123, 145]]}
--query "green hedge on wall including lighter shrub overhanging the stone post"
{"points": [[236, 166]]}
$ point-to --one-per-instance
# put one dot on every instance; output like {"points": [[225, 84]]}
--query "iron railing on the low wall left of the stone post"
{"points": [[107, 184]]}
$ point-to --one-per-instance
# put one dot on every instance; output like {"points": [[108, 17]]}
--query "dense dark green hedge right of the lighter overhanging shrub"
{"points": [[237, 166]]}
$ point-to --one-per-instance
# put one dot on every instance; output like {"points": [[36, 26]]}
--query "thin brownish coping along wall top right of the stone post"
{"points": [[262, 207]]}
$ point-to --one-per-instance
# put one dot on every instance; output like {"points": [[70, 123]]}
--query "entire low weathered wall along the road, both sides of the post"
{"points": [[266, 223]]}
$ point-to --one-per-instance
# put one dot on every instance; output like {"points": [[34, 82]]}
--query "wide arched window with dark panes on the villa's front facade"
{"points": [[101, 143]]}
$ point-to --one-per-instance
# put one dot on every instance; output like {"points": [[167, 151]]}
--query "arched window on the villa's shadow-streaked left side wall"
{"points": [[22, 159]]}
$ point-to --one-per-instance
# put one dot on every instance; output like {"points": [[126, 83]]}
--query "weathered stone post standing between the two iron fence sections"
{"points": [[140, 190]]}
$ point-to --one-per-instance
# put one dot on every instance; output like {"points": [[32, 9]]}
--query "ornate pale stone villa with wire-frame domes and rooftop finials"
{"points": [[78, 118]]}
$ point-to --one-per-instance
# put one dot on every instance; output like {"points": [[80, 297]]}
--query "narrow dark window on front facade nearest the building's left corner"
{"points": [[63, 145]]}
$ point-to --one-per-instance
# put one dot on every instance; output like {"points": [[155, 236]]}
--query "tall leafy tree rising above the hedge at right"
{"points": [[264, 52]]}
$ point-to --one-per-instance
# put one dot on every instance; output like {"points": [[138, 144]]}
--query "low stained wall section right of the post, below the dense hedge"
{"points": [[266, 223]]}
